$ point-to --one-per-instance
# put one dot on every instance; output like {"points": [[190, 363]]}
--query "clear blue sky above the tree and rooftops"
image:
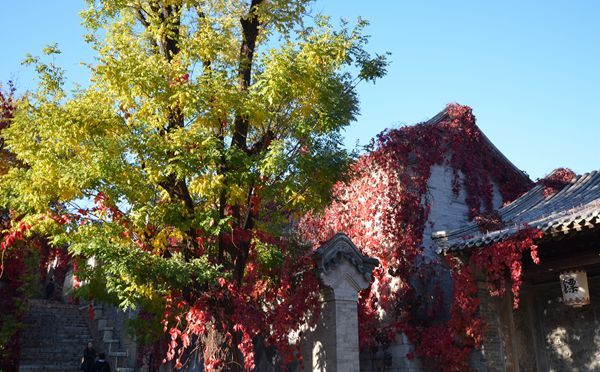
{"points": [[529, 69]]}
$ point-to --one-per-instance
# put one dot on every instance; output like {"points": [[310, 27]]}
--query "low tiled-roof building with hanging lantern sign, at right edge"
{"points": [[556, 326]]}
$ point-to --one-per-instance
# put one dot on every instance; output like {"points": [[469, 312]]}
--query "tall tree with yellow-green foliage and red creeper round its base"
{"points": [[207, 128]]}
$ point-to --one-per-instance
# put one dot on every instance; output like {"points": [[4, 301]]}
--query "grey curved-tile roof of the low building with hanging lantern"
{"points": [[575, 207]]}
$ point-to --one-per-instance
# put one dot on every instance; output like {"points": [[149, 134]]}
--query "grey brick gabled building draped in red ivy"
{"points": [[435, 175]]}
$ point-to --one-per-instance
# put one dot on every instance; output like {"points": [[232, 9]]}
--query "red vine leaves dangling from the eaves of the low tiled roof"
{"points": [[498, 259]]}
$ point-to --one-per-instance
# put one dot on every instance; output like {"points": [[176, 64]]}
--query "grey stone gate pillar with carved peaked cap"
{"points": [[343, 271]]}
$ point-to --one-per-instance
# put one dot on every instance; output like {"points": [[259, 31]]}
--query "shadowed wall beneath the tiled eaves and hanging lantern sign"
{"points": [[543, 334]]}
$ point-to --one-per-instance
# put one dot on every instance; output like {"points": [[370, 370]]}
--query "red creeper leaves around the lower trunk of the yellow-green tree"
{"points": [[268, 306]]}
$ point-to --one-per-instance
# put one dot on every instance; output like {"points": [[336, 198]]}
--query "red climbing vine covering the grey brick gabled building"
{"points": [[384, 209]]}
